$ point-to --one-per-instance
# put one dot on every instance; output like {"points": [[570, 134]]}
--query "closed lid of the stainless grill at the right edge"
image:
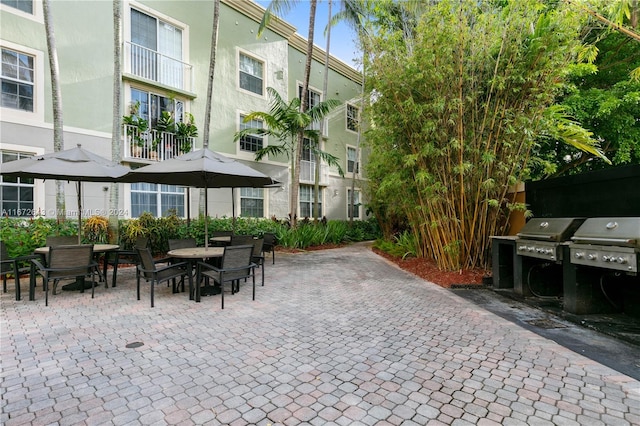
{"points": [[618, 231]]}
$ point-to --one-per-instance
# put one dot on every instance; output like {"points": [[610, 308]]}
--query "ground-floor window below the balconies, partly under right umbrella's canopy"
{"points": [[156, 199]]}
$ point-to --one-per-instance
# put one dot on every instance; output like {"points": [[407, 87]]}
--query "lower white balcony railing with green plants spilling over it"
{"points": [[153, 145]]}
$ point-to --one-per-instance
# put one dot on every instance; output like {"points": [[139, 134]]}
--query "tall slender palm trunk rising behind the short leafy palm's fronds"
{"points": [[295, 187]]}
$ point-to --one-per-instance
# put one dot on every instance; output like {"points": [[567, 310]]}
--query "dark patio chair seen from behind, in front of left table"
{"points": [[68, 262]]}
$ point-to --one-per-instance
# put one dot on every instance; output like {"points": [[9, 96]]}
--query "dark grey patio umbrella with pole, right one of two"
{"points": [[202, 168]]}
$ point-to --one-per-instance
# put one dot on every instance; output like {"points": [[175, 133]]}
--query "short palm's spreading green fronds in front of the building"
{"points": [[285, 122]]}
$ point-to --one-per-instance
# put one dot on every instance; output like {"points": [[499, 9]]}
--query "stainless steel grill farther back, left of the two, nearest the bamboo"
{"points": [[541, 238]]}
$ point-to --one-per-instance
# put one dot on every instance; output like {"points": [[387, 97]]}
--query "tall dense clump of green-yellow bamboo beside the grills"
{"points": [[457, 103]]}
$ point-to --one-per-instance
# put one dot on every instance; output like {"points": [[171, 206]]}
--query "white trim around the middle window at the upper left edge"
{"points": [[37, 116]]}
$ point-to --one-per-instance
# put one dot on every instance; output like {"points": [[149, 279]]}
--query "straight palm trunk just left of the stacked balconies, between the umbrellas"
{"points": [[116, 130]]}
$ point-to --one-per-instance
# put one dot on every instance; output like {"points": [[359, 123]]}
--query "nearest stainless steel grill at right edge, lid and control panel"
{"points": [[608, 243]]}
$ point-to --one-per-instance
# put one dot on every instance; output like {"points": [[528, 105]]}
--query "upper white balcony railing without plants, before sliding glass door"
{"points": [[155, 66]]}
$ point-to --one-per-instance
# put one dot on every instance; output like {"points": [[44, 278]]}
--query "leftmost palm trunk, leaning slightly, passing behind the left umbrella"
{"points": [[56, 98]]}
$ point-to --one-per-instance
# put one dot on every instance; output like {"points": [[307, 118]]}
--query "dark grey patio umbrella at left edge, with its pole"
{"points": [[75, 164]]}
